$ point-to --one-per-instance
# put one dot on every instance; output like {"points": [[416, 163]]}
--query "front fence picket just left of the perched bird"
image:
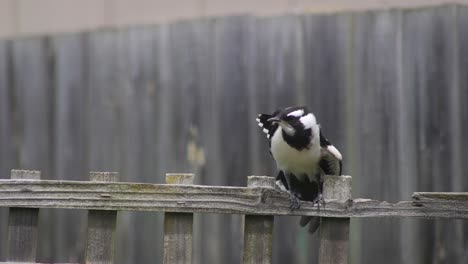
{"points": [[258, 229]]}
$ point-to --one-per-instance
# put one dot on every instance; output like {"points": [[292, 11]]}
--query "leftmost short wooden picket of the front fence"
{"points": [[22, 225]]}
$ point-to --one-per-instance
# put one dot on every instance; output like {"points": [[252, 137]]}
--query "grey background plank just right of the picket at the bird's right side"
{"points": [[375, 57]]}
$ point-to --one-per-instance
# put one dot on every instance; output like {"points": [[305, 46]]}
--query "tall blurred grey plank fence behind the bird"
{"points": [[389, 88]]}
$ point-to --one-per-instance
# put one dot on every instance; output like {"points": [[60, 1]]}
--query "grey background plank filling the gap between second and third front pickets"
{"points": [[142, 121]]}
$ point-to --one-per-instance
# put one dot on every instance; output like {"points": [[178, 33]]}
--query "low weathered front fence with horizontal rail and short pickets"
{"points": [[103, 196]]}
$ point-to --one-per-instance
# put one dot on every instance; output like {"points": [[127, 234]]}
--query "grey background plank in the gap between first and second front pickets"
{"points": [[65, 231]]}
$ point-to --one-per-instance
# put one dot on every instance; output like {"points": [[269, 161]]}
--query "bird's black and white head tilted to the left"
{"points": [[294, 119]]}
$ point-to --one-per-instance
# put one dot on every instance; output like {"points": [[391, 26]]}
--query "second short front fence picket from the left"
{"points": [[101, 227]]}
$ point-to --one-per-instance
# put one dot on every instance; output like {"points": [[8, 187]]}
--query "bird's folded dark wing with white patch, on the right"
{"points": [[331, 159]]}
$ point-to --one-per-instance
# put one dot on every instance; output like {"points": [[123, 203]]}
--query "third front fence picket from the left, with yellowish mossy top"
{"points": [[178, 227]]}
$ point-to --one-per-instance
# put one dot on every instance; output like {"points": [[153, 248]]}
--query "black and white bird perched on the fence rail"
{"points": [[302, 154]]}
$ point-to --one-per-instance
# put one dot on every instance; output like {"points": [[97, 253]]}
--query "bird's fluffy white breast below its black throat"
{"points": [[299, 162]]}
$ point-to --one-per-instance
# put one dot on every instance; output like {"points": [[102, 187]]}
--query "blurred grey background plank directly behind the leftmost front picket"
{"points": [[32, 107]]}
